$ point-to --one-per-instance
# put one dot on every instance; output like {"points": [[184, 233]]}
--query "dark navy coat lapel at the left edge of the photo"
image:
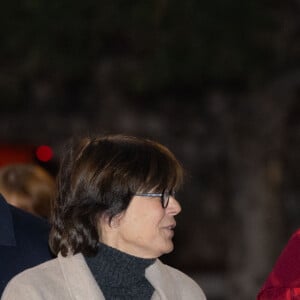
{"points": [[7, 235]]}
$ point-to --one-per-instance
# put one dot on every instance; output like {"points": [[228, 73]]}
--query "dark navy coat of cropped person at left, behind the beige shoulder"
{"points": [[23, 241]]}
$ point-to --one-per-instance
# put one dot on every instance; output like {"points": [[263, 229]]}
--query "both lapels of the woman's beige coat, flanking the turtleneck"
{"points": [[78, 275]]}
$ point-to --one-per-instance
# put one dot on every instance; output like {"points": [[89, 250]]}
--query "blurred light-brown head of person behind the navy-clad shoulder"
{"points": [[28, 187]]}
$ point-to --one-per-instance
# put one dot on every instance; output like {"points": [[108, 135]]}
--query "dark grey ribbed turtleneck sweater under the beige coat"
{"points": [[120, 276]]}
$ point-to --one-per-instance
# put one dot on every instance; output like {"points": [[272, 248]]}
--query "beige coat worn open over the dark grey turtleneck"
{"points": [[69, 278]]}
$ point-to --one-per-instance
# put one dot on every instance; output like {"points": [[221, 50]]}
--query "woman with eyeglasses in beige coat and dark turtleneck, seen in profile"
{"points": [[113, 217]]}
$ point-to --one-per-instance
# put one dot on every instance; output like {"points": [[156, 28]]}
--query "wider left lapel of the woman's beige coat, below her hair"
{"points": [[79, 279]]}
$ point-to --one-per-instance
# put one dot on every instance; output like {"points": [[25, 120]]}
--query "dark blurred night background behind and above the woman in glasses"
{"points": [[218, 82]]}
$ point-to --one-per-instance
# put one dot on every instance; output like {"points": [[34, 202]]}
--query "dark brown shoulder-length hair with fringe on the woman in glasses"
{"points": [[101, 175]]}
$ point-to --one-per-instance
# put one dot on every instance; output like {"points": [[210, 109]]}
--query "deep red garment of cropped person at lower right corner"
{"points": [[283, 282]]}
